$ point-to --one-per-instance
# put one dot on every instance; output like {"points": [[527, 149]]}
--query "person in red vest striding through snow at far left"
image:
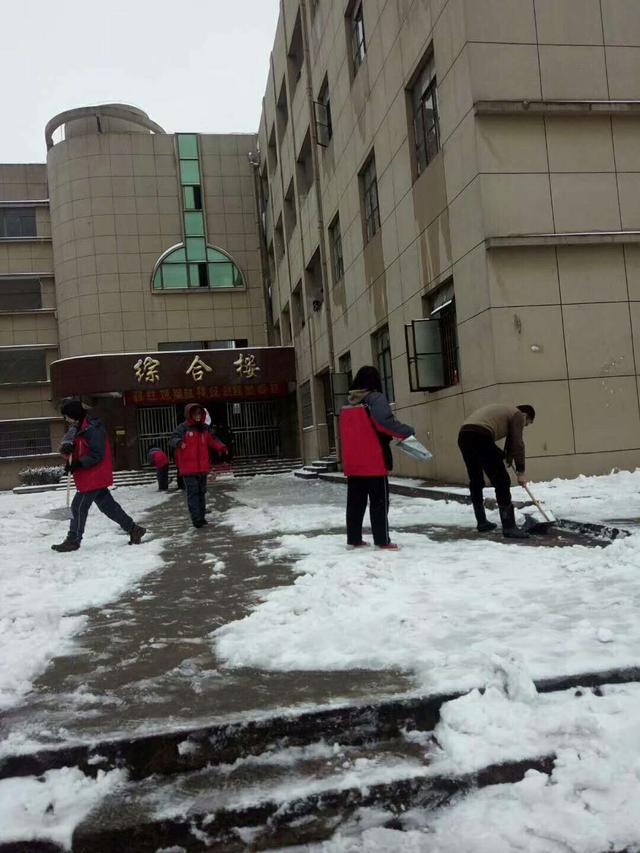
{"points": [[88, 453]]}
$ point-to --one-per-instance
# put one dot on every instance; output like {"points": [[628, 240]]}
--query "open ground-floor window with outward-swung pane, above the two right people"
{"points": [[432, 343]]}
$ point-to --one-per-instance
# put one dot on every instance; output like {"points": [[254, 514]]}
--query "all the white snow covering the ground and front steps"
{"points": [[459, 613]]}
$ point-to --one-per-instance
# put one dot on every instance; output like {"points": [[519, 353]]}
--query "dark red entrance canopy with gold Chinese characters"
{"points": [[228, 373]]}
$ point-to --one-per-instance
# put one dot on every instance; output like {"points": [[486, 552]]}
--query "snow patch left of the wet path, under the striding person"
{"points": [[43, 591]]}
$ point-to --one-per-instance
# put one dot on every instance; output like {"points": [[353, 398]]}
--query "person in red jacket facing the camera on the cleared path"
{"points": [[191, 442]]}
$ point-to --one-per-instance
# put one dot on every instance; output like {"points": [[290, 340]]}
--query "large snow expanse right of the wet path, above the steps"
{"points": [[443, 609]]}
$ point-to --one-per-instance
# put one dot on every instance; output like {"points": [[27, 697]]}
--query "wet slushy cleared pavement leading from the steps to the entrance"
{"points": [[147, 661]]}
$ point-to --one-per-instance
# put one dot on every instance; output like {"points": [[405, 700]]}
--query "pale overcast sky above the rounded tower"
{"points": [[194, 65]]}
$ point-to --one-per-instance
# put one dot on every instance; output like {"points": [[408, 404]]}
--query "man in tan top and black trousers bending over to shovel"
{"points": [[477, 442]]}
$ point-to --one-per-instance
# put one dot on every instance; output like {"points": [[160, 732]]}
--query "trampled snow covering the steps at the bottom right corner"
{"points": [[588, 804]]}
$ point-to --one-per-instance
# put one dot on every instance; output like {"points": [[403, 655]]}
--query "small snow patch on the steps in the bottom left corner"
{"points": [[49, 807]]}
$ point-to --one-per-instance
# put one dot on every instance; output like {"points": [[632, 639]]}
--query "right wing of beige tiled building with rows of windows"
{"points": [[450, 190]]}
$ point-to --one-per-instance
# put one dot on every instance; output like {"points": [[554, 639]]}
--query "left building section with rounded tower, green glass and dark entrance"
{"points": [[130, 274]]}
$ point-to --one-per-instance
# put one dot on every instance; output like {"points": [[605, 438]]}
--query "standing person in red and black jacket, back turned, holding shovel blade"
{"points": [[367, 426]]}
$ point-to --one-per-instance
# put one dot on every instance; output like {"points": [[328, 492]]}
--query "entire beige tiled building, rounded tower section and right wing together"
{"points": [[448, 189]]}
